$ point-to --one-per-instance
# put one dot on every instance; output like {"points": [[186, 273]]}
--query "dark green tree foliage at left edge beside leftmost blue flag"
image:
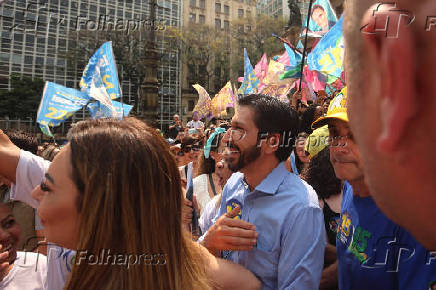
{"points": [[23, 100]]}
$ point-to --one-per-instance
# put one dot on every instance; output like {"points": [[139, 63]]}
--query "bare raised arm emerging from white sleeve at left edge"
{"points": [[9, 157]]}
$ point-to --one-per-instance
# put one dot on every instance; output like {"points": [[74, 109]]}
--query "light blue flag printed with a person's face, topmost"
{"points": [[322, 18]]}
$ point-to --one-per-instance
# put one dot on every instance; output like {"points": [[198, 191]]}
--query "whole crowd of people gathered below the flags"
{"points": [[334, 194]]}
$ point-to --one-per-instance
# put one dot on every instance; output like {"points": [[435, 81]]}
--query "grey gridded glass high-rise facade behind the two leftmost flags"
{"points": [[35, 40]]}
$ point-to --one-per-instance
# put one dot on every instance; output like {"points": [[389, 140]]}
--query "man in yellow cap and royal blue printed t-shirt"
{"points": [[373, 252]]}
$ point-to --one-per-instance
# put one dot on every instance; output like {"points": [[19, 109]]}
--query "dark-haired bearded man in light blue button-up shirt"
{"points": [[269, 219]]}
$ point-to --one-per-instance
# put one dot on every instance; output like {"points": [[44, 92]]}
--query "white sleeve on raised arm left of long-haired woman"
{"points": [[30, 172]]}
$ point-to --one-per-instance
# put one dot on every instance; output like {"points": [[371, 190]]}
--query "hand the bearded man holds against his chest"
{"points": [[230, 234]]}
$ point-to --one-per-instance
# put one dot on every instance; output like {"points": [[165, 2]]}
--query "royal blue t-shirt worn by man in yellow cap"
{"points": [[375, 253]]}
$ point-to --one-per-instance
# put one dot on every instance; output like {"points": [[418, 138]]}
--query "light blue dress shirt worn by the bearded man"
{"points": [[289, 253]]}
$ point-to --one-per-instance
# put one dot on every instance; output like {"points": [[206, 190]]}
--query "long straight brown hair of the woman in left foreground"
{"points": [[130, 203]]}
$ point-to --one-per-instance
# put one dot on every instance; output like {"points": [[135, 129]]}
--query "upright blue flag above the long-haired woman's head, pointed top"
{"points": [[100, 79]]}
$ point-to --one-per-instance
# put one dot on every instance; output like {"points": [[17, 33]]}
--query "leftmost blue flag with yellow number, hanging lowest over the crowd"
{"points": [[58, 103]]}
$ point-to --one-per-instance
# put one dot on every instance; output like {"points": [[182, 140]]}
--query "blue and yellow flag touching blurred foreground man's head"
{"points": [[327, 57]]}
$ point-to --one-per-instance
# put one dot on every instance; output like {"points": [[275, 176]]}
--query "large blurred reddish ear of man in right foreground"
{"points": [[398, 104]]}
